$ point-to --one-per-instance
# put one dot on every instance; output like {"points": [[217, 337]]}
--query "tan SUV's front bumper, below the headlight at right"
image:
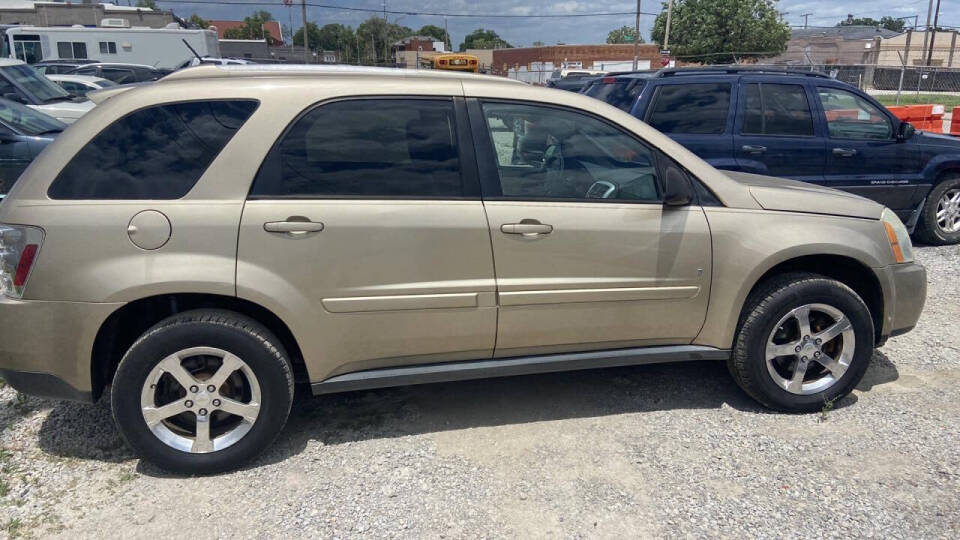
{"points": [[905, 293]]}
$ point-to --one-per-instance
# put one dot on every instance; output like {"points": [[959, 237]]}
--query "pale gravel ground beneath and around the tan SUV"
{"points": [[664, 451]]}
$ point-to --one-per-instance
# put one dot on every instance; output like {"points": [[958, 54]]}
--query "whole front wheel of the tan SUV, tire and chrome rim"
{"points": [[805, 341]]}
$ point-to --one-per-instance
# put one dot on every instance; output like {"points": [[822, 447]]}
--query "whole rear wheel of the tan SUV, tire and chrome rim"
{"points": [[202, 392]]}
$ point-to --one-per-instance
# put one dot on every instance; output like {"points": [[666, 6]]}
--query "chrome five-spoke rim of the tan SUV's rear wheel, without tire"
{"points": [[200, 400]]}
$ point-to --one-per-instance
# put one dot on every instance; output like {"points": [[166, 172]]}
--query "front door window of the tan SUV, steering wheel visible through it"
{"points": [[550, 153]]}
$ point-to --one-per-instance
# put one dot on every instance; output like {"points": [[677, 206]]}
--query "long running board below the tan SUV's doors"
{"points": [[504, 367]]}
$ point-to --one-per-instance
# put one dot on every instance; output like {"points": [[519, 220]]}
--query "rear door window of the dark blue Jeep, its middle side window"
{"points": [[777, 109]]}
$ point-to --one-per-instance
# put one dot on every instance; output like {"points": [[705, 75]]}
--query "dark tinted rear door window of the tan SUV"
{"points": [[366, 148]]}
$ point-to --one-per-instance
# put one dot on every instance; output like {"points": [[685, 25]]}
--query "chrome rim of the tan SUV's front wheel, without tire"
{"points": [[810, 349]]}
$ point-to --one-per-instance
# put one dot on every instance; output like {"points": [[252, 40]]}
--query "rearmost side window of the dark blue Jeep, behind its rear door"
{"points": [[690, 108]]}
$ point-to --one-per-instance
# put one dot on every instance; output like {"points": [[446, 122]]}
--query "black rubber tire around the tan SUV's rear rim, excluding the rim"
{"points": [[231, 332]]}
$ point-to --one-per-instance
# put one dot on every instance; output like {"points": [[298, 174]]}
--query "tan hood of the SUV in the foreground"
{"points": [[793, 196]]}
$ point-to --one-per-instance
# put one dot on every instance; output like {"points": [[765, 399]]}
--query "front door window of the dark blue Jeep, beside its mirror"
{"points": [[851, 117]]}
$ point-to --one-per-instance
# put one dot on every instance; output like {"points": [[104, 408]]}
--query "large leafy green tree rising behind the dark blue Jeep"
{"points": [[723, 31]]}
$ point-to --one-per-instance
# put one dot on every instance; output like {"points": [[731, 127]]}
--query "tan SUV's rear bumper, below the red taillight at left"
{"points": [[46, 347]]}
